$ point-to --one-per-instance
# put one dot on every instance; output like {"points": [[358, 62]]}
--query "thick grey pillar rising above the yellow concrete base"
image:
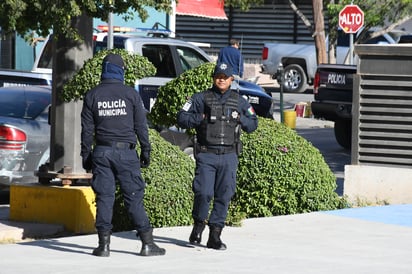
{"points": [[68, 57]]}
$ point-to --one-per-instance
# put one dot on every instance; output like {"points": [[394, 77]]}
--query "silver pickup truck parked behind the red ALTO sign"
{"points": [[299, 60]]}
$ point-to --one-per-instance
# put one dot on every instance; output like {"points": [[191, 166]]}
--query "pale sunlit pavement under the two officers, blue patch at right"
{"points": [[360, 240]]}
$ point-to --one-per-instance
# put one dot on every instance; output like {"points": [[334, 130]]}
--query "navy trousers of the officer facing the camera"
{"points": [[215, 178]]}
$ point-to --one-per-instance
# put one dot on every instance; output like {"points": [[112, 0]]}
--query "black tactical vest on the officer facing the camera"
{"points": [[221, 125]]}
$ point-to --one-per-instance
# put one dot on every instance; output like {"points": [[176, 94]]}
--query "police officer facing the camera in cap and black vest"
{"points": [[218, 114]]}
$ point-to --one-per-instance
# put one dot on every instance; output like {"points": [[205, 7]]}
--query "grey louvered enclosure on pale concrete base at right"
{"points": [[381, 127]]}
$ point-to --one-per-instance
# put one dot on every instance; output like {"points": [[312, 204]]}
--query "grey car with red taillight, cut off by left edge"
{"points": [[24, 132]]}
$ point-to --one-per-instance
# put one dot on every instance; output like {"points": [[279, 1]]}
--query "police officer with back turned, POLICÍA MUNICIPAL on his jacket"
{"points": [[112, 116]]}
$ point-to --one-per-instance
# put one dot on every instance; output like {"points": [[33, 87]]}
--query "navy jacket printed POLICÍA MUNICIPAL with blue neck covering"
{"points": [[113, 112]]}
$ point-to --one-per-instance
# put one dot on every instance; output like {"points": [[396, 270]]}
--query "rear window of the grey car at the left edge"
{"points": [[26, 105]]}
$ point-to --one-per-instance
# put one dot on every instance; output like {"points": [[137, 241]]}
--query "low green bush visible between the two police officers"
{"points": [[168, 196]]}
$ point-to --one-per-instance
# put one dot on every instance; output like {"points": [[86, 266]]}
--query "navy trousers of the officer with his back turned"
{"points": [[109, 164]]}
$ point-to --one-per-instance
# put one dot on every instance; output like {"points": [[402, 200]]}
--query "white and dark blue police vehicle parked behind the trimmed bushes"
{"points": [[171, 57]]}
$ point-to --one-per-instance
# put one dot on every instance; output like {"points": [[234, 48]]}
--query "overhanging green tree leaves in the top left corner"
{"points": [[42, 16]]}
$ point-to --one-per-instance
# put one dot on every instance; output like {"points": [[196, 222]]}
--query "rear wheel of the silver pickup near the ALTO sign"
{"points": [[295, 79]]}
